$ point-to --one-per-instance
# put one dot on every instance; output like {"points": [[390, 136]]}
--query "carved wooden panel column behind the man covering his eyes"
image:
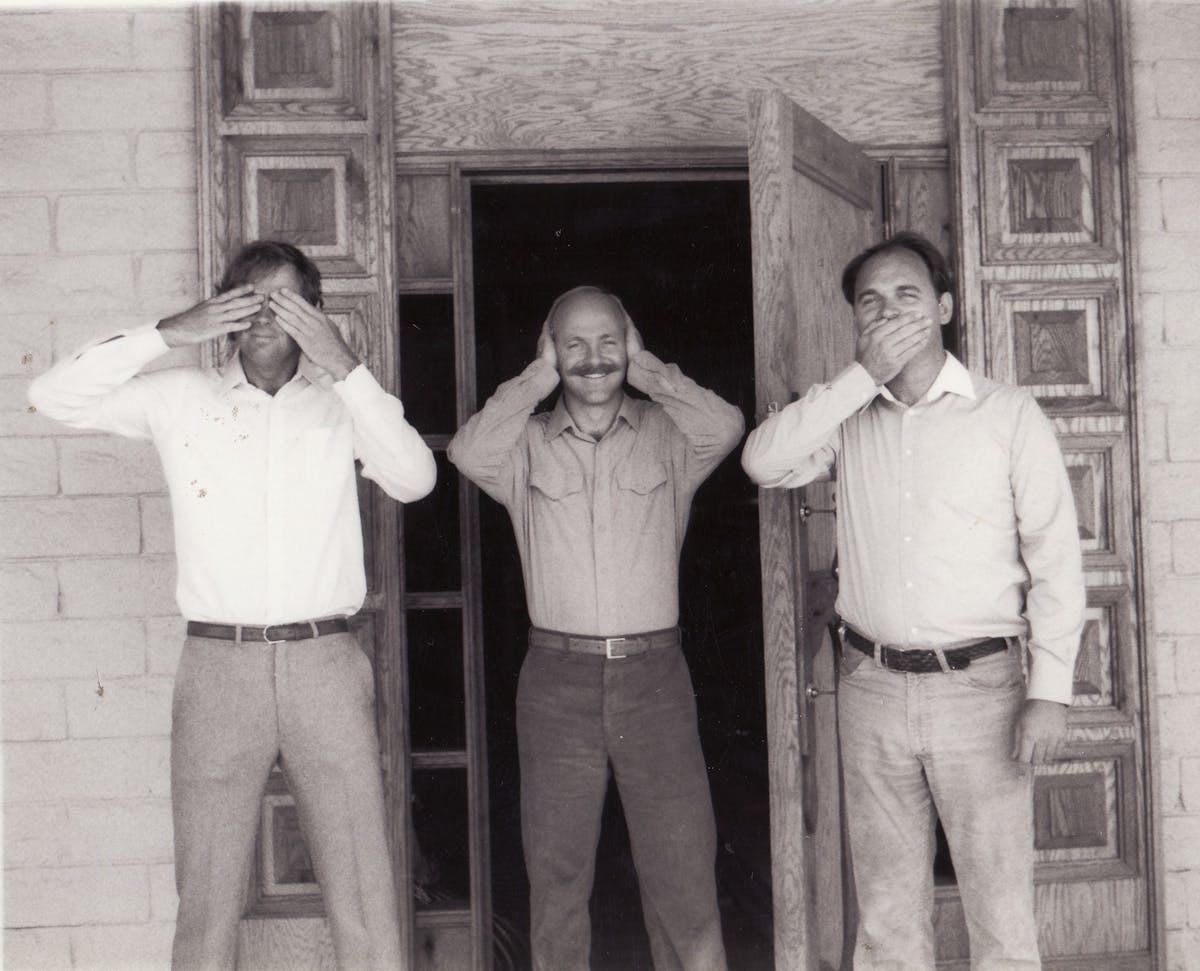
{"points": [[296, 145]]}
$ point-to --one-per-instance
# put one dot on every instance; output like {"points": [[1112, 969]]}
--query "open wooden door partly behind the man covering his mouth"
{"points": [[814, 201]]}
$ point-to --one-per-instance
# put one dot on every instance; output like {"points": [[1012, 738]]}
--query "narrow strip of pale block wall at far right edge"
{"points": [[1167, 94]]}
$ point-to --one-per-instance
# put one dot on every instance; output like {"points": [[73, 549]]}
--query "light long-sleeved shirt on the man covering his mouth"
{"points": [[956, 518]]}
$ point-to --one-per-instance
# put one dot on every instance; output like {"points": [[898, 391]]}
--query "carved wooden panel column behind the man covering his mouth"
{"points": [[1036, 109]]}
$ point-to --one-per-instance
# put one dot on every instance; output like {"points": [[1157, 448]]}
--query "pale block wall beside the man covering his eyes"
{"points": [[98, 232]]}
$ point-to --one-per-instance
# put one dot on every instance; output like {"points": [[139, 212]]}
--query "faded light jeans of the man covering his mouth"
{"points": [[919, 745]]}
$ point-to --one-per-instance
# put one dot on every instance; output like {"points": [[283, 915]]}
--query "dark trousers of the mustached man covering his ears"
{"points": [[577, 715]]}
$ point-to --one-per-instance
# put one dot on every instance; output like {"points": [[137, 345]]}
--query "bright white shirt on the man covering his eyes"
{"points": [[263, 488]]}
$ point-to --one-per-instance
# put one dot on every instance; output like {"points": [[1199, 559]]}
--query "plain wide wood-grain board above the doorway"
{"points": [[617, 74]]}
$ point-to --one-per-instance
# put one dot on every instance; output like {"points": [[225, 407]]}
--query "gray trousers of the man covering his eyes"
{"points": [[237, 709]]}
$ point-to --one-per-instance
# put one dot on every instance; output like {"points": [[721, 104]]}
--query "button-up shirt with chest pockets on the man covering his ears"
{"points": [[599, 525]]}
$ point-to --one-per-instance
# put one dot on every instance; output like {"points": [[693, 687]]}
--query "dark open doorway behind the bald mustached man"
{"points": [[679, 255]]}
